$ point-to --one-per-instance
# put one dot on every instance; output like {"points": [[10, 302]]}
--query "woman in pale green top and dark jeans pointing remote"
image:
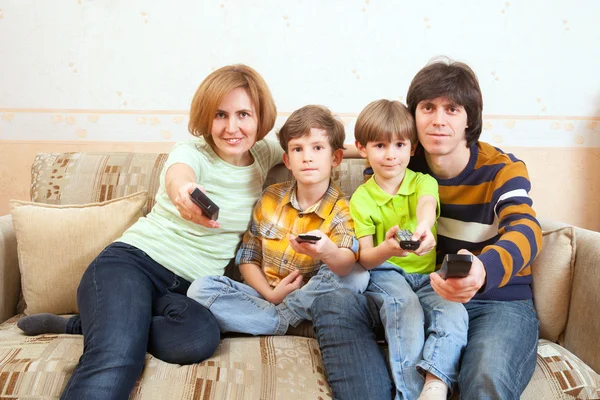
{"points": [[132, 298]]}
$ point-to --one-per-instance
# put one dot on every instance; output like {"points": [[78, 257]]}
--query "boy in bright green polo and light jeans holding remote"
{"points": [[425, 333]]}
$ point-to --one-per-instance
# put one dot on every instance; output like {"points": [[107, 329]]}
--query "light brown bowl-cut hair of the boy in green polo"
{"points": [[382, 120]]}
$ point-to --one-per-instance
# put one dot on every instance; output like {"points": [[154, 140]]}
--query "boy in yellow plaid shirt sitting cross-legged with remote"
{"points": [[284, 275]]}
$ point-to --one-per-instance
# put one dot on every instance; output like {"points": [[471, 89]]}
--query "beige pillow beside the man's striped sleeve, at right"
{"points": [[552, 272]]}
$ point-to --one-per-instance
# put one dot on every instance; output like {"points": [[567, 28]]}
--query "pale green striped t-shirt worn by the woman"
{"points": [[186, 248]]}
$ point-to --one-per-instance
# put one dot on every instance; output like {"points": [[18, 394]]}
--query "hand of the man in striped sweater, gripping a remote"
{"points": [[460, 290]]}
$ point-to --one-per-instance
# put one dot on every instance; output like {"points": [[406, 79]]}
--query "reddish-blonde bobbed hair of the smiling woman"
{"points": [[217, 85]]}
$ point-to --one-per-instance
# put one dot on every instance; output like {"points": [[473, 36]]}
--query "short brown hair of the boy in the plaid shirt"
{"points": [[312, 116]]}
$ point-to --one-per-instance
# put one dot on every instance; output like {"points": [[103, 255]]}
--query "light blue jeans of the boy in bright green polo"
{"points": [[424, 332]]}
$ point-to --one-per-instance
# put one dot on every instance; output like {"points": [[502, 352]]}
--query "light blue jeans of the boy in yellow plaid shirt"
{"points": [[239, 308]]}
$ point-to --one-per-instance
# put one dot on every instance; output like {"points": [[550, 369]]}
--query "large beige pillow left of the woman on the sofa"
{"points": [[56, 243]]}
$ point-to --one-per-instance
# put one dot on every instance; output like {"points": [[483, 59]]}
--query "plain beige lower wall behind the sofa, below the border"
{"points": [[566, 184]]}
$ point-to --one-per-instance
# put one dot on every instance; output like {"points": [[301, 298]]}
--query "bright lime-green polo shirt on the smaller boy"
{"points": [[374, 212]]}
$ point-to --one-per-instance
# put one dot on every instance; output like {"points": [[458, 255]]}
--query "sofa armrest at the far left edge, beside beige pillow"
{"points": [[10, 277]]}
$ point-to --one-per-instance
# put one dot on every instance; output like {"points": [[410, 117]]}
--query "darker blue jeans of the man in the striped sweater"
{"points": [[497, 363]]}
